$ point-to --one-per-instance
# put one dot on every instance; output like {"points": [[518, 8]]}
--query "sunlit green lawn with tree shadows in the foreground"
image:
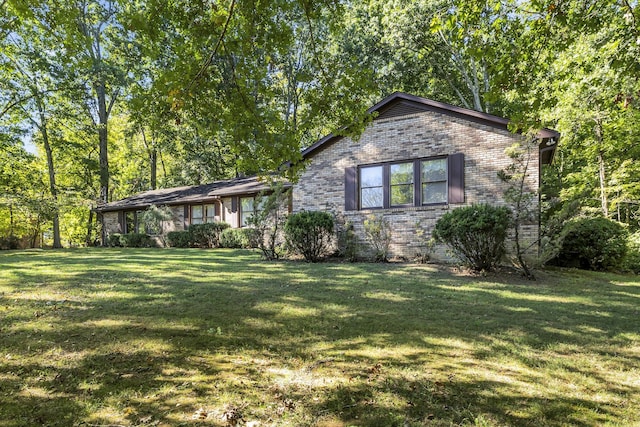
{"points": [[120, 337]]}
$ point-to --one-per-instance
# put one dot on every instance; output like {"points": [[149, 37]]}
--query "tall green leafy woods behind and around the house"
{"points": [[103, 99]]}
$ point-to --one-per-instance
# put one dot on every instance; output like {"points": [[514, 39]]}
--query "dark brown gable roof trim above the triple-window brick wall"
{"points": [[401, 104]]}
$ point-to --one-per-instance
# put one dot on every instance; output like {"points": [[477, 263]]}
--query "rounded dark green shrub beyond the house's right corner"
{"points": [[592, 244]]}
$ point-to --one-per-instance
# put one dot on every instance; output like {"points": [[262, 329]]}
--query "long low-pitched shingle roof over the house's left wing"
{"points": [[189, 194]]}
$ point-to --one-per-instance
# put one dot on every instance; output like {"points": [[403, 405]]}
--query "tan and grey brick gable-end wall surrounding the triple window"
{"points": [[321, 185]]}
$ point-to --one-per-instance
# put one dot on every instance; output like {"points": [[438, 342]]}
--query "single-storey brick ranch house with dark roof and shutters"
{"points": [[417, 160]]}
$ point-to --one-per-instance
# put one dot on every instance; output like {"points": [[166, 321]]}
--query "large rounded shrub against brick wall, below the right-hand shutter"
{"points": [[476, 234]]}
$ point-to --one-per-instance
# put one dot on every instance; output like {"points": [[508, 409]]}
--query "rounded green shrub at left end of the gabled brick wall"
{"points": [[309, 233]]}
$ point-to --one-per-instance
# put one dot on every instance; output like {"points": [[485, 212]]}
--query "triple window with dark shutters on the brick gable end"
{"points": [[408, 183]]}
